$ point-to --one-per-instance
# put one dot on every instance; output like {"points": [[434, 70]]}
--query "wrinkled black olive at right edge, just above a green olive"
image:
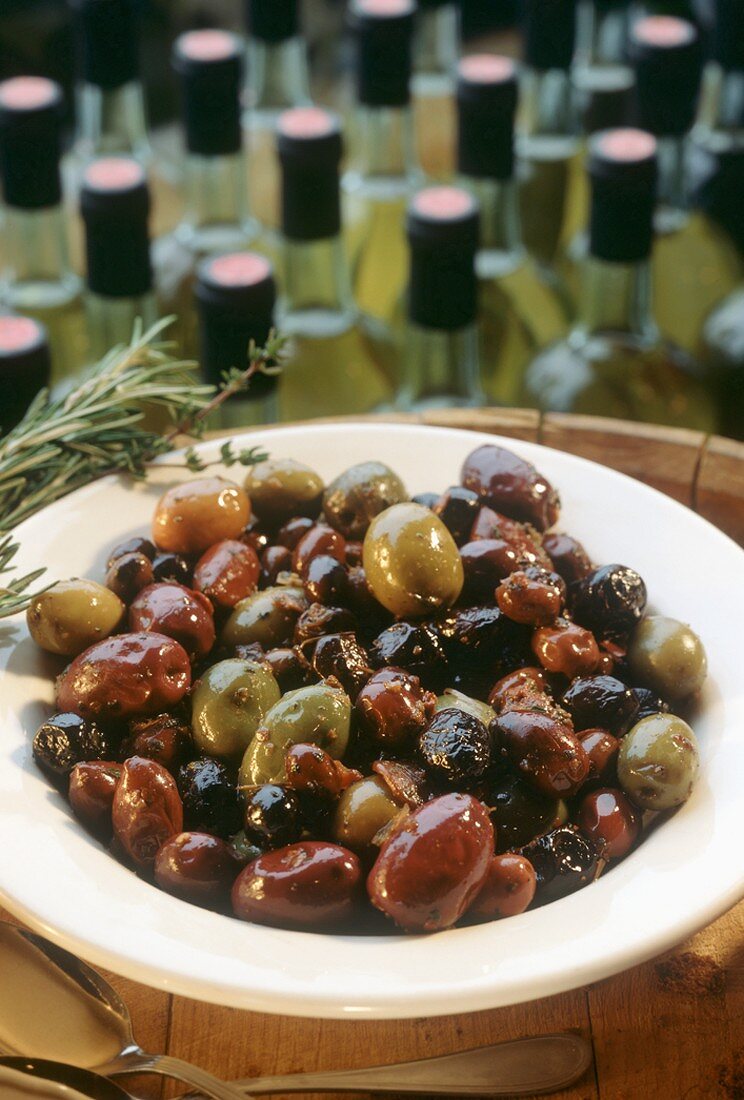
{"points": [[610, 602]]}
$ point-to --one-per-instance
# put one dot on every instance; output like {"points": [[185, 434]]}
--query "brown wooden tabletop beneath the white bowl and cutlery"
{"points": [[670, 1030]]}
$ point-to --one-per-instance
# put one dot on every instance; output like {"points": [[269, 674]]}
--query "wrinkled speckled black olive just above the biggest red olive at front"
{"points": [[456, 750]]}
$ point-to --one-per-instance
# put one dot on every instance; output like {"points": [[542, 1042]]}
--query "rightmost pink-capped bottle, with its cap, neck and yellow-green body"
{"points": [[695, 265]]}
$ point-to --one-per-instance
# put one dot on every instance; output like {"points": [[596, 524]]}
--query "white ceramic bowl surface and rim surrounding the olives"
{"points": [[687, 873]]}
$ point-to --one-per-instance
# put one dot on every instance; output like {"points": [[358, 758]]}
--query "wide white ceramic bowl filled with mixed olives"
{"points": [[398, 721]]}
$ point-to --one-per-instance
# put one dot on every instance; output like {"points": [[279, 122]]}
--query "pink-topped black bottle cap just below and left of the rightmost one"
{"points": [[622, 170]]}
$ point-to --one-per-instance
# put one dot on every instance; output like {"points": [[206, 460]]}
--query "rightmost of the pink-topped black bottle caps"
{"points": [[668, 58]]}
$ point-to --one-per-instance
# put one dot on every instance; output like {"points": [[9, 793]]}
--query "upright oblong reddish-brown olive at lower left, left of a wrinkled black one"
{"points": [[147, 810]]}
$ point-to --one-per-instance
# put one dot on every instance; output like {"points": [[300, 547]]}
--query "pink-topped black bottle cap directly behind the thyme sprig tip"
{"points": [[236, 294]]}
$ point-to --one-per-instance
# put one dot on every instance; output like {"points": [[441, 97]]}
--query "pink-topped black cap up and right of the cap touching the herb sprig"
{"points": [[310, 148]]}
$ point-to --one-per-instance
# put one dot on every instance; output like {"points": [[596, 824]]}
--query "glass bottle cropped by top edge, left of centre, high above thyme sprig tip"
{"points": [[278, 81]]}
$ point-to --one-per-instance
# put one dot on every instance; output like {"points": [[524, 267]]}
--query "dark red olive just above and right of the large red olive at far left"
{"points": [[179, 613]]}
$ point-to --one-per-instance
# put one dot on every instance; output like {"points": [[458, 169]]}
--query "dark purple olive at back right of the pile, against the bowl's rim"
{"points": [[512, 486]]}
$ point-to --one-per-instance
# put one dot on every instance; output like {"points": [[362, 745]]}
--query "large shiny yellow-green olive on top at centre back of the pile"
{"points": [[412, 564]]}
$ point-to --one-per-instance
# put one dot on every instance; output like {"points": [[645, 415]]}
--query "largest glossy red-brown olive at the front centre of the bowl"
{"points": [[433, 867]]}
